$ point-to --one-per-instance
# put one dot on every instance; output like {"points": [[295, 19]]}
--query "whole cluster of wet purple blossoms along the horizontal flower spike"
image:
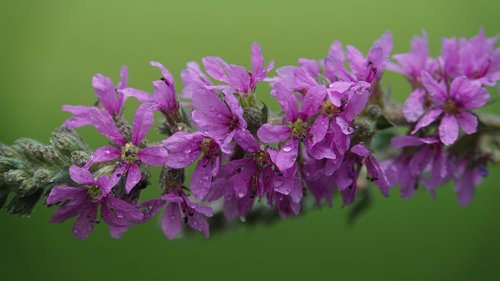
{"points": [[321, 143]]}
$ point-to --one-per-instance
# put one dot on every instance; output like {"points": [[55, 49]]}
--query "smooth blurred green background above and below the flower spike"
{"points": [[50, 49]]}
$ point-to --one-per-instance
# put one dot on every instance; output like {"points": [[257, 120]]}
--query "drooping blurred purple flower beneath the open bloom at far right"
{"points": [[419, 155]]}
